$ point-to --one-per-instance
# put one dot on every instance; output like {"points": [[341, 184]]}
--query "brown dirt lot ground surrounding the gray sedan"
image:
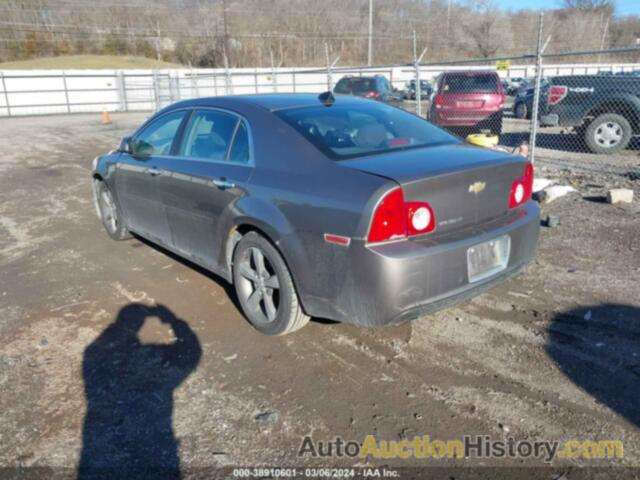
{"points": [[553, 354]]}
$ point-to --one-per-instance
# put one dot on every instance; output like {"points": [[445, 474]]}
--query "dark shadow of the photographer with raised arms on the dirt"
{"points": [[129, 386]]}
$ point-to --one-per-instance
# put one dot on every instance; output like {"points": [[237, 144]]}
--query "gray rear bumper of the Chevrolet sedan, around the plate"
{"points": [[405, 279]]}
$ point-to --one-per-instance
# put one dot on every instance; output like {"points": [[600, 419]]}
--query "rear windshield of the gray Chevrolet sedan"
{"points": [[349, 131]]}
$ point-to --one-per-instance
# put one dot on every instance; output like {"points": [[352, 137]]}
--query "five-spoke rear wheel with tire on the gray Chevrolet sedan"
{"points": [[265, 288]]}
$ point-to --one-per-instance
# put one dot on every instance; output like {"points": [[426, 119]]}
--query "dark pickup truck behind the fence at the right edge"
{"points": [[603, 110]]}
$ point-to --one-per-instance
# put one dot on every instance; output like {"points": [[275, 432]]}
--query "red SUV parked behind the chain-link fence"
{"points": [[471, 100]]}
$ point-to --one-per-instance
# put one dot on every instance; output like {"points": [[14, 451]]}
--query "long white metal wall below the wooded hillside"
{"points": [[35, 92]]}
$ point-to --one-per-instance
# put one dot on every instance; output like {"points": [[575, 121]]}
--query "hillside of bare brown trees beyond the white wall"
{"points": [[197, 32]]}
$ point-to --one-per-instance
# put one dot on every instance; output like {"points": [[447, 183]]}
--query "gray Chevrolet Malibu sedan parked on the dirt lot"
{"points": [[315, 206]]}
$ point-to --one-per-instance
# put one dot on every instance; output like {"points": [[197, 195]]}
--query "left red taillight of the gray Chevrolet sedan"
{"points": [[394, 218]]}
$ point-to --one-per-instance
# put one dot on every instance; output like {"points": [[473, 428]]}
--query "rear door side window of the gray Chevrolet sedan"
{"points": [[208, 135]]}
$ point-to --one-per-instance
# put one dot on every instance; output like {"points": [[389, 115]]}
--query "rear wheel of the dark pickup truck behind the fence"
{"points": [[608, 133]]}
